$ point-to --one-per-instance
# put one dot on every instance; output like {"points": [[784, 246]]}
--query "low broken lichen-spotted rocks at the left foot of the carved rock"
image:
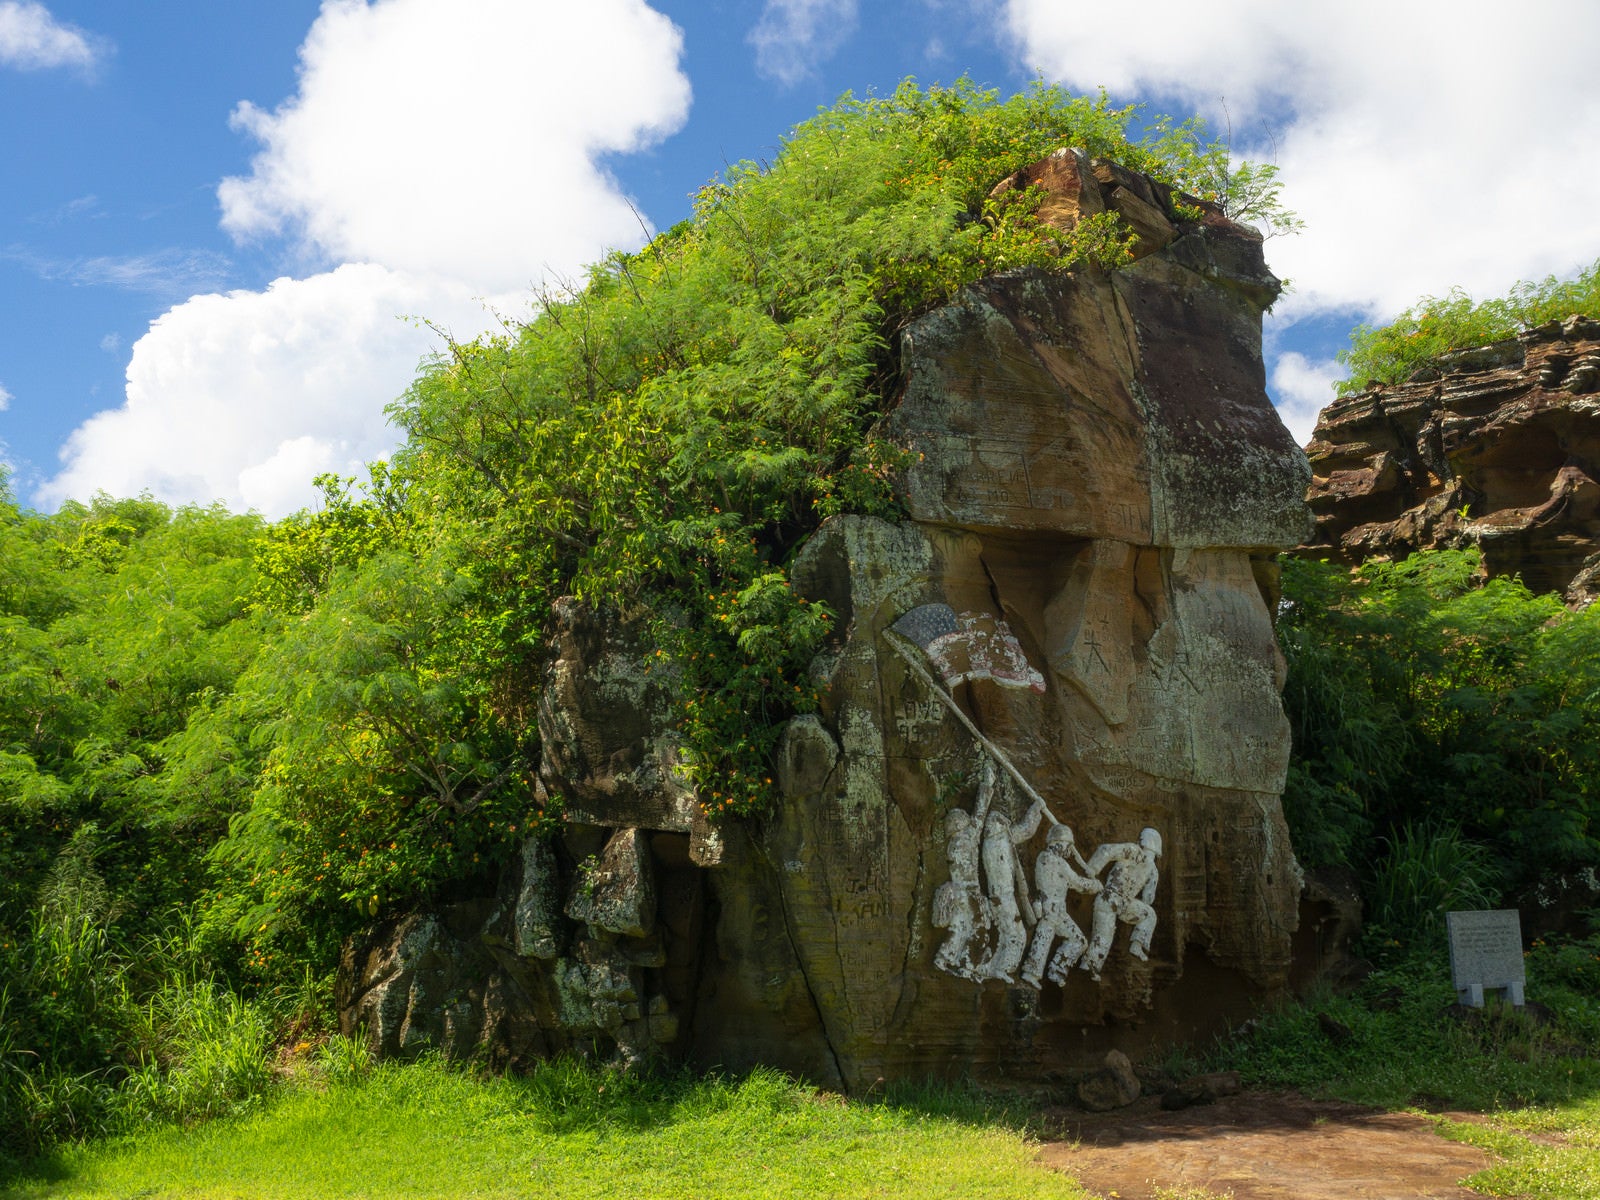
{"points": [[590, 943]]}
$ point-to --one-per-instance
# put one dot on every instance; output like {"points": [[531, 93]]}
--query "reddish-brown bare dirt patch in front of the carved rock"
{"points": [[1263, 1146]]}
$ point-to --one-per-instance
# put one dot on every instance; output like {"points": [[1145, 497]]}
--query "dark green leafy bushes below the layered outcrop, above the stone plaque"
{"points": [[1420, 695]]}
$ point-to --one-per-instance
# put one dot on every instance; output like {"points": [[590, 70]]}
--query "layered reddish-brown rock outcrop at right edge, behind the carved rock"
{"points": [[1495, 447]]}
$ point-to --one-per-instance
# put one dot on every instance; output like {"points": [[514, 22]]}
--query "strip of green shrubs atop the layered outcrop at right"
{"points": [[1391, 354]]}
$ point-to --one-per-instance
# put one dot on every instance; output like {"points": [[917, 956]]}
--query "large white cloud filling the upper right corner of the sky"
{"points": [[1426, 145]]}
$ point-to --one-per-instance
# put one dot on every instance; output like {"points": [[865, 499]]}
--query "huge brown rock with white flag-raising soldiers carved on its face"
{"points": [[1038, 815]]}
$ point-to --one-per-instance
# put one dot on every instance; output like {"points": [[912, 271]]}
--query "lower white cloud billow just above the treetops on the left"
{"points": [[247, 396]]}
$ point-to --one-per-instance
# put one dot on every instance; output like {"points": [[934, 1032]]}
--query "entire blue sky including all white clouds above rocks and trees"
{"points": [[217, 217]]}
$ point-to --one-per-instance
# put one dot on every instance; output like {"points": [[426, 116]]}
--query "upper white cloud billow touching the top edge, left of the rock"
{"points": [[462, 138]]}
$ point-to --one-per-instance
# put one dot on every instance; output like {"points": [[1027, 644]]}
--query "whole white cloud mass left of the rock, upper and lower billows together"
{"points": [[436, 153]]}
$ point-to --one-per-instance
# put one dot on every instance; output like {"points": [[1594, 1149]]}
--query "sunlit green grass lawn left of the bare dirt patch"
{"points": [[428, 1132]]}
